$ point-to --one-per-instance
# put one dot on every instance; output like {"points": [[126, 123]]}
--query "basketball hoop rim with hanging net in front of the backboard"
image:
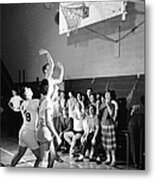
{"points": [[73, 13]]}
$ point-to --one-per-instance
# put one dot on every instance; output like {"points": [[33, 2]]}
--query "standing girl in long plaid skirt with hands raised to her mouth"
{"points": [[108, 129]]}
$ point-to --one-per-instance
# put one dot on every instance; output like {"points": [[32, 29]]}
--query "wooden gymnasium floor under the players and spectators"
{"points": [[9, 147]]}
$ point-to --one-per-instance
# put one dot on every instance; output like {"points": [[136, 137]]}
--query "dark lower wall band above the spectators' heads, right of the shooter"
{"points": [[122, 86]]}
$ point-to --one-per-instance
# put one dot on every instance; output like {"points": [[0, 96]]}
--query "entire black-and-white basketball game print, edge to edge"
{"points": [[72, 92]]}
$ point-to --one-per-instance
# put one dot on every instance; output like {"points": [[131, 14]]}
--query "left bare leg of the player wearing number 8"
{"points": [[18, 156]]}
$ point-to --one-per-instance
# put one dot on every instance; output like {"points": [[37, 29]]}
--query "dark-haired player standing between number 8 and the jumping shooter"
{"points": [[46, 128]]}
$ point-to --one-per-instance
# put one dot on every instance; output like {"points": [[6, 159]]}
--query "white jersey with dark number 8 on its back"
{"points": [[29, 110]]}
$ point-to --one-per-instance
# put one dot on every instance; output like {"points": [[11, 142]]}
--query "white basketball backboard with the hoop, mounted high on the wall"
{"points": [[81, 14]]}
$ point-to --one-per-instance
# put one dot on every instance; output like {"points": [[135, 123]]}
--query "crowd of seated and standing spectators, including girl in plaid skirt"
{"points": [[83, 121]]}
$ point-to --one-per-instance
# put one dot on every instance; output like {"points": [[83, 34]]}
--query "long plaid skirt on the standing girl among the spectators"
{"points": [[108, 137]]}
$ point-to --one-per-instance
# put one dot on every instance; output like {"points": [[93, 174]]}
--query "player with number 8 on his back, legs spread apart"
{"points": [[27, 137]]}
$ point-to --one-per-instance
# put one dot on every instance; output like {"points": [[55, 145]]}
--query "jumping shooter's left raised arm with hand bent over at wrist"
{"points": [[50, 61]]}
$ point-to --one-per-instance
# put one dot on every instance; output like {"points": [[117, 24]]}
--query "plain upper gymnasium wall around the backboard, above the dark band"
{"points": [[28, 27]]}
